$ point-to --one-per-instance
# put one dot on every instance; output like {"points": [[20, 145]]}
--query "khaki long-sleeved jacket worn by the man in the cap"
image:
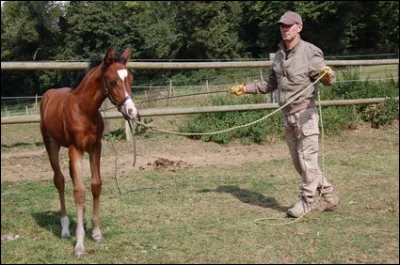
{"points": [[291, 75]]}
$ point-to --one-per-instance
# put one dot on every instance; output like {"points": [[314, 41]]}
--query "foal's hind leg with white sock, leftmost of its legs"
{"points": [[53, 150]]}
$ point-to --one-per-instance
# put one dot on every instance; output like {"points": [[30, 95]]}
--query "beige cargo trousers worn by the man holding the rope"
{"points": [[301, 133]]}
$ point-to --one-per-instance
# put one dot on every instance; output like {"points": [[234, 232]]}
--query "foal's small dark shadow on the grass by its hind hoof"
{"points": [[50, 220]]}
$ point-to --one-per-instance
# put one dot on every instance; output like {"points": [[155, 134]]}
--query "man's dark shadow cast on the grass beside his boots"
{"points": [[250, 197]]}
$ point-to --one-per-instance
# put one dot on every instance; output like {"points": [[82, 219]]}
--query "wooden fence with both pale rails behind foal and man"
{"points": [[185, 65]]}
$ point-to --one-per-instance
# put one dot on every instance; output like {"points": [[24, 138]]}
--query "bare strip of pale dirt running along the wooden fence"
{"points": [[165, 152]]}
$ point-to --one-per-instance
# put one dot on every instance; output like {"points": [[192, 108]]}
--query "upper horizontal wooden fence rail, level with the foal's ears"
{"points": [[54, 65]]}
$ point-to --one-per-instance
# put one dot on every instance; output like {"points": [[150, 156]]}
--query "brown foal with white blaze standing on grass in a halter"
{"points": [[71, 118]]}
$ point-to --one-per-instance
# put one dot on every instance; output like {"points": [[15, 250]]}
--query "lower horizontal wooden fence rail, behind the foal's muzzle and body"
{"points": [[198, 110]]}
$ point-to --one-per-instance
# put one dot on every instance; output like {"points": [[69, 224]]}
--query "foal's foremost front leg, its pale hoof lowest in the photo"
{"points": [[75, 158]]}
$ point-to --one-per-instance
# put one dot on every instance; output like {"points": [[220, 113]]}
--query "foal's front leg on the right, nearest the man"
{"points": [[96, 184]]}
